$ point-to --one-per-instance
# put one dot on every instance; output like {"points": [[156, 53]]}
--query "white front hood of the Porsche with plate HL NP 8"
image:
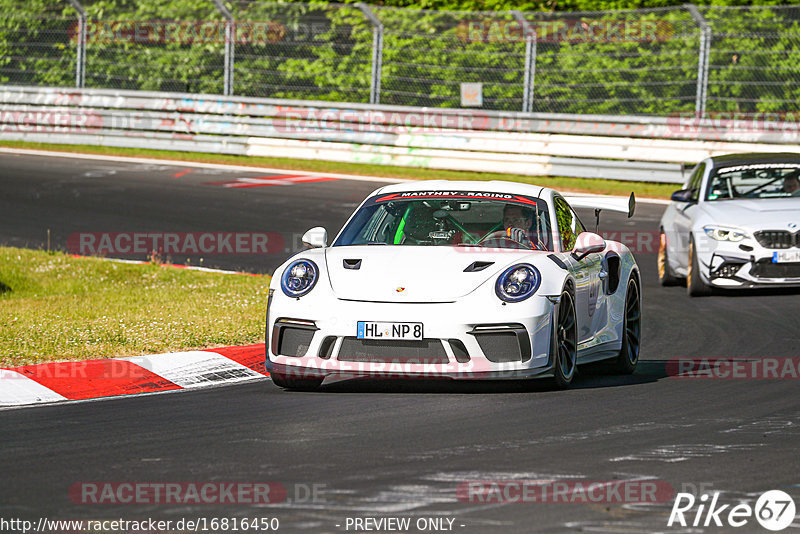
{"points": [[374, 273]]}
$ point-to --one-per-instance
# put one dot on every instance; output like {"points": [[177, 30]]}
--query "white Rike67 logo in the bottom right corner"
{"points": [[774, 510]]}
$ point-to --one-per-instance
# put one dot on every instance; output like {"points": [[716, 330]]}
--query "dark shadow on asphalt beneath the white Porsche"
{"points": [[589, 377]]}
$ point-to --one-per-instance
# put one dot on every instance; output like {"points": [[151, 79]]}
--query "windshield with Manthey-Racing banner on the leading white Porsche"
{"points": [[451, 219]]}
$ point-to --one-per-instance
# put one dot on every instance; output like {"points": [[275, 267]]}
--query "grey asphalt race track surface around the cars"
{"points": [[396, 449]]}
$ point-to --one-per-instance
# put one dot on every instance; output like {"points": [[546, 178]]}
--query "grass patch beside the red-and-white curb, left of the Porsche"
{"points": [[54, 307]]}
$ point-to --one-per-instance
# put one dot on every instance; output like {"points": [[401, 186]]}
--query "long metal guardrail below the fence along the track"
{"points": [[623, 148]]}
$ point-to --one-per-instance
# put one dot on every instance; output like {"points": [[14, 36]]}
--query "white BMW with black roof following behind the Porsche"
{"points": [[735, 223]]}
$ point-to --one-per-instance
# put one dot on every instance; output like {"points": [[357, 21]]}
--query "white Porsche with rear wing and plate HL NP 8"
{"points": [[446, 279]]}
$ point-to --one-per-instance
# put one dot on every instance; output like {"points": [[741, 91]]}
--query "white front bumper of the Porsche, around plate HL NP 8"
{"points": [[308, 338]]}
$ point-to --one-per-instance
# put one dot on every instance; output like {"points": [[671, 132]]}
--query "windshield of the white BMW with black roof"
{"points": [[763, 180]]}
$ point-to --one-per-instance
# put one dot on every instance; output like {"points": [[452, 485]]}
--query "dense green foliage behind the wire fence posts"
{"points": [[619, 62]]}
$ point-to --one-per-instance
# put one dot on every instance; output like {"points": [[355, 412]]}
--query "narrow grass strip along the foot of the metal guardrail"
{"points": [[585, 185]]}
